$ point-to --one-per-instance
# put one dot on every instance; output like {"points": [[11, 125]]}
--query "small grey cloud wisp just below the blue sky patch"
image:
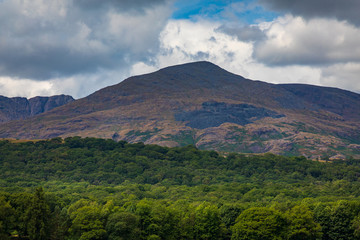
{"points": [[243, 33]]}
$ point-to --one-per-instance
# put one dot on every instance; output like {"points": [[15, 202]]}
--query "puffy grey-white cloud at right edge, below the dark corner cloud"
{"points": [[296, 41]]}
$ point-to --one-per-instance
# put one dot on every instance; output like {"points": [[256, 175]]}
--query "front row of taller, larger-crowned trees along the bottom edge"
{"points": [[40, 216]]}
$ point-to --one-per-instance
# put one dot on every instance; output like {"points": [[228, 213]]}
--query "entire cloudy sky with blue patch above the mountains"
{"points": [[76, 47]]}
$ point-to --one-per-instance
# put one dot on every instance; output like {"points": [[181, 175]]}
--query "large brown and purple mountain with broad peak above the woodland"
{"points": [[200, 103]]}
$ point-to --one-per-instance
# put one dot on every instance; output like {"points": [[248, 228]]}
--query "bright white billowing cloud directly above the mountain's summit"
{"points": [[185, 41]]}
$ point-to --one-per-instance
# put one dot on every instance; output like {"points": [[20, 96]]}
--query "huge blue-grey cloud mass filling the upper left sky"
{"points": [[42, 40]]}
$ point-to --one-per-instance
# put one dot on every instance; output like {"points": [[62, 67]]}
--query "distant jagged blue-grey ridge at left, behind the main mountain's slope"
{"points": [[22, 108]]}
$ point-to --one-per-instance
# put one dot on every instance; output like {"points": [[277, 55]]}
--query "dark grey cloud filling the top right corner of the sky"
{"points": [[342, 10]]}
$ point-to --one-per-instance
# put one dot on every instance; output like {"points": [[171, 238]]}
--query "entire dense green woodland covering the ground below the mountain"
{"points": [[87, 188]]}
